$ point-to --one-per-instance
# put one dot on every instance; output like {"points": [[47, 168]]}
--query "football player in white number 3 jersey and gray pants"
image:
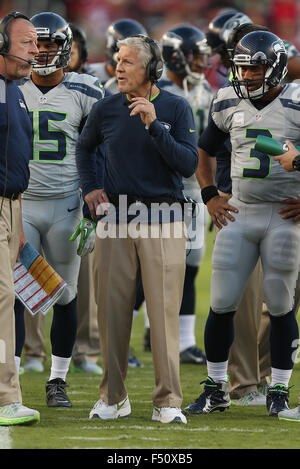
{"points": [[250, 225]]}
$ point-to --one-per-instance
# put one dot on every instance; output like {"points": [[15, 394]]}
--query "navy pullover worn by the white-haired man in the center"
{"points": [[139, 162]]}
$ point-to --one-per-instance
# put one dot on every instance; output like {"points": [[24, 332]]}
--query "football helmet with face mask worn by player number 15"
{"points": [[52, 27]]}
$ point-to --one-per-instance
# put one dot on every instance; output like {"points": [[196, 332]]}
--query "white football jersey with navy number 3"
{"points": [[255, 176]]}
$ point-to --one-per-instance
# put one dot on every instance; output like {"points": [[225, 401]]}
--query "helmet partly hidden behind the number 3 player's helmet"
{"points": [[220, 28]]}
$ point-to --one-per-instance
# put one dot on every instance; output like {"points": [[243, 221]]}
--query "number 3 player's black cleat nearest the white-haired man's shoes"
{"points": [[215, 397]]}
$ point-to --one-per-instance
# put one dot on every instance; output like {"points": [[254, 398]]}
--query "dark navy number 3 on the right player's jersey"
{"points": [[264, 168]]}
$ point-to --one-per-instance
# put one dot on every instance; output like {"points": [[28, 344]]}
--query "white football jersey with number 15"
{"points": [[57, 118]]}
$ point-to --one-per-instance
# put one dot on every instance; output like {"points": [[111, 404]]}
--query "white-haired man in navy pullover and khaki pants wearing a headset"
{"points": [[150, 144]]}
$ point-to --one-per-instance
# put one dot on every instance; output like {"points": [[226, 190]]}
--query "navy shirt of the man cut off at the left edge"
{"points": [[14, 161]]}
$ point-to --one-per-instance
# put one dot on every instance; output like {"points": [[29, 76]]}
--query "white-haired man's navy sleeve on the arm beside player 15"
{"points": [[86, 159]]}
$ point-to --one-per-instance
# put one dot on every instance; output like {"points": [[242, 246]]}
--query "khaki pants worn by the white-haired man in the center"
{"points": [[117, 264]]}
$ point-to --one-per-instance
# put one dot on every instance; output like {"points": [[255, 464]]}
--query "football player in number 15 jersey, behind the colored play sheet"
{"points": [[59, 104]]}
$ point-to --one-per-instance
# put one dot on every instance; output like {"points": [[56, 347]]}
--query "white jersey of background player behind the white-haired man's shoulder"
{"points": [[199, 97]]}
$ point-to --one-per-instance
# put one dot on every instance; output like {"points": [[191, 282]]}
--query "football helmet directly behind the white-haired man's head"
{"points": [[118, 30]]}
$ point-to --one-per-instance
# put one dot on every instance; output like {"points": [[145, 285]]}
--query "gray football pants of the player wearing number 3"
{"points": [[258, 231]]}
